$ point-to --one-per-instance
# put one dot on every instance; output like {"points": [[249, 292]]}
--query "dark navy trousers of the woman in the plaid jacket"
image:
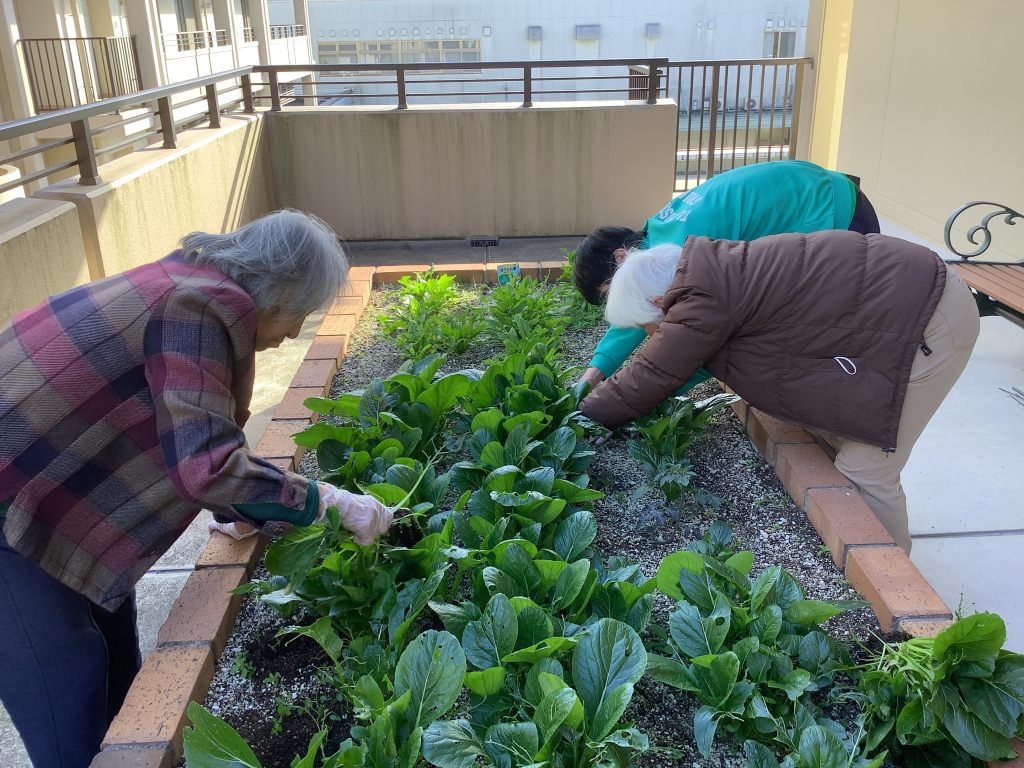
{"points": [[66, 665]]}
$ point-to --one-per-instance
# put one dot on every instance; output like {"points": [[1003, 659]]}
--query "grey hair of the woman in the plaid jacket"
{"points": [[285, 257]]}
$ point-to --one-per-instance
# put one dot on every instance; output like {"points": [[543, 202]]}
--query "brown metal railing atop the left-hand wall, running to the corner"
{"points": [[87, 154]]}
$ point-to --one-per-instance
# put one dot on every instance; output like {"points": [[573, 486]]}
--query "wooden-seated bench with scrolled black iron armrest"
{"points": [[999, 286]]}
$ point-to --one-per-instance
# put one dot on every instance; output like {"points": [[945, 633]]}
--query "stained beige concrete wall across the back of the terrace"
{"points": [[378, 174]]}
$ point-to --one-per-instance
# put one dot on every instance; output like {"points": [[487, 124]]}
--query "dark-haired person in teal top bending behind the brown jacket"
{"points": [[747, 203]]}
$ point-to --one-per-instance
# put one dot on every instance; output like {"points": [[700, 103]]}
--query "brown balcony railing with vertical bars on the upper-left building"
{"points": [[71, 72]]}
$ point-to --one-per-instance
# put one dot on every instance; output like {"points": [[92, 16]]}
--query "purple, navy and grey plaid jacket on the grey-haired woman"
{"points": [[121, 411]]}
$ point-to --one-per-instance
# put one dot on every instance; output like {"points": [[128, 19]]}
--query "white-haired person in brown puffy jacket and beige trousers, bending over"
{"points": [[858, 338]]}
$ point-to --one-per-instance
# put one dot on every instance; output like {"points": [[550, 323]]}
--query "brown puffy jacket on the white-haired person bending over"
{"points": [[820, 330]]}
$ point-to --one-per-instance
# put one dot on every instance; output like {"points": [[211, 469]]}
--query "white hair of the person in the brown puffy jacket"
{"points": [[642, 277]]}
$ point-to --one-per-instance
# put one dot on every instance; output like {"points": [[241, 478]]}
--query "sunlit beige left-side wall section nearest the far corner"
{"points": [[217, 181]]}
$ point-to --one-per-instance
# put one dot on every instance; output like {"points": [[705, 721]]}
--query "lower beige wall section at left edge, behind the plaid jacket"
{"points": [[41, 253]]}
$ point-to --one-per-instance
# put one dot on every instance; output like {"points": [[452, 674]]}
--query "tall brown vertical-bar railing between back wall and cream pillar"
{"points": [[735, 113]]}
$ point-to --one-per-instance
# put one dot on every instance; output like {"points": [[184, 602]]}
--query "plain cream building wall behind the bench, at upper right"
{"points": [[930, 116]]}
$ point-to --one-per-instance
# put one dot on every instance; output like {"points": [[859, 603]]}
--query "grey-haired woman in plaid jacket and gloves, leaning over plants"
{"points": [[121, 412]]}
